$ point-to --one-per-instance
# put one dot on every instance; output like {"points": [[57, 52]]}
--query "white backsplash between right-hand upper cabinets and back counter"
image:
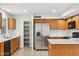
{"points": [[62, 32]]}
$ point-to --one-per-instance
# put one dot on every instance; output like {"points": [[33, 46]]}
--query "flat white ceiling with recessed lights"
{"points": [[37, 8]]}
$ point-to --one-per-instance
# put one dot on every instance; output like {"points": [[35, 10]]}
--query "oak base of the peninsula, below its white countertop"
{"points": [[63, 49]]}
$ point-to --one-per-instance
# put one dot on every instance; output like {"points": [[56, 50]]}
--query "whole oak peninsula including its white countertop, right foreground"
{"points": [[66, 47]]}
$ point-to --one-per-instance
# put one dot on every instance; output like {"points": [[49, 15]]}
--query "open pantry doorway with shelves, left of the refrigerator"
{"points": [[26, 33]]}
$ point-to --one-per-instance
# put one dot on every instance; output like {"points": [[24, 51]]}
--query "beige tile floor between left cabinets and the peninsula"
{"points": [[28, 52]]}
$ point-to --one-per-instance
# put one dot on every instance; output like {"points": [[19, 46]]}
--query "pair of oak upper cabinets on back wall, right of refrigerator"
{"points": [[57, 24]]}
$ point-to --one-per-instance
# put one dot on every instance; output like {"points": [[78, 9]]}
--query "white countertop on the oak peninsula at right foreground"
{"points": [[63, 41]]}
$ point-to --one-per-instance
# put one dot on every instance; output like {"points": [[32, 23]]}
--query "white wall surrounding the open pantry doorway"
{"points": [[20, 28]]}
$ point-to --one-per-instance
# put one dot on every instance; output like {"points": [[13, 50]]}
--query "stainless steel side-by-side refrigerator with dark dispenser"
{"points": [[41, 34]]}
